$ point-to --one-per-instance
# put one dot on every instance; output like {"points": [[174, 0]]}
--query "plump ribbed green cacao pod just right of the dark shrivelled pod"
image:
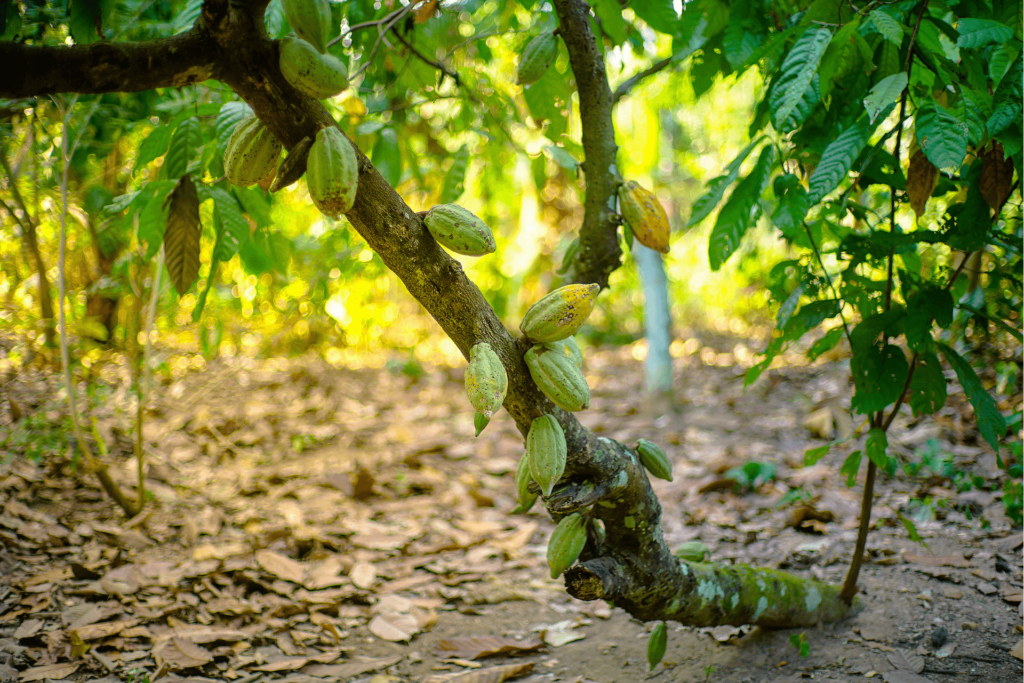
{"points": [[332, 173]]}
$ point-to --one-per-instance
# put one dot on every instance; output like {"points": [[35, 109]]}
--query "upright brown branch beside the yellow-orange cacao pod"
{"points": [[600, 252]]}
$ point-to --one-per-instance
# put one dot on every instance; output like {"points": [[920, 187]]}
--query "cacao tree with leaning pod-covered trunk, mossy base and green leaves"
{"points": [[843, 84]]}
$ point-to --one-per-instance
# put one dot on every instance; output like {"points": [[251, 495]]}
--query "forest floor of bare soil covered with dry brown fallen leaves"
{"points": [[316, 524]]}
